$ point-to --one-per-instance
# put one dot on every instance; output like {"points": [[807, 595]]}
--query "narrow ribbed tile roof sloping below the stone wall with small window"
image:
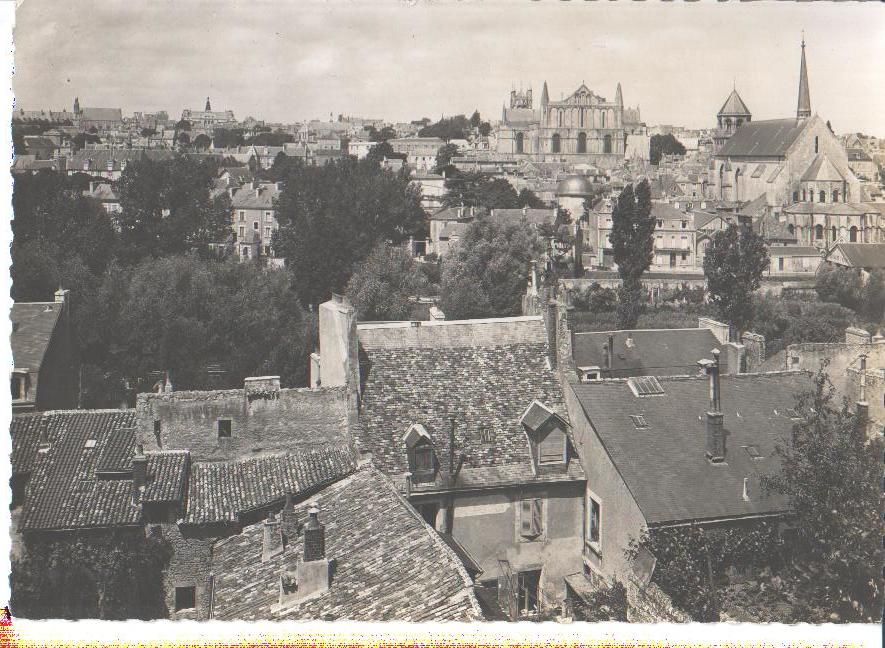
{"points": [[221, 491]]}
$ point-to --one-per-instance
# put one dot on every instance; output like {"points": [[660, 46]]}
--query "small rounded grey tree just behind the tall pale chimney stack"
{"points": [[381, 286]]}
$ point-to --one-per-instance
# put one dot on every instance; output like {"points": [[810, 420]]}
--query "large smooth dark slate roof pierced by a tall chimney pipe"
{"points": [[665, 466]]}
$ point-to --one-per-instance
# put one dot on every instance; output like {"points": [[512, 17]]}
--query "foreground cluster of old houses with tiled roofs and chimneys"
{"points": [[438, 470]]}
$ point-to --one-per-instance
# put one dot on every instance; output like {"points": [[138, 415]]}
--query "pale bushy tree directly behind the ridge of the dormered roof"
{"points": [[486, 274]]}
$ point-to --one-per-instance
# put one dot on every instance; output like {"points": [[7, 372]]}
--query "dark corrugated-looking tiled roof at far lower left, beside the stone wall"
{"points": [[65, 491]]}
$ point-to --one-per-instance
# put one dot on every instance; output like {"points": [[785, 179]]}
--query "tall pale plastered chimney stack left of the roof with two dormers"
{"points": [[339, 346]]}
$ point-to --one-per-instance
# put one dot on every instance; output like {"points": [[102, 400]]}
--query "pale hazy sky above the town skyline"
{"points": [[284, 61]]}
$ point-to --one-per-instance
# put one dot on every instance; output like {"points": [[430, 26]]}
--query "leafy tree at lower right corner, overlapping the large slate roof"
{"points": [[831, 472]]}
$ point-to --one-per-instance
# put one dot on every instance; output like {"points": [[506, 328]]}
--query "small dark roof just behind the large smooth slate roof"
{"points": [[655, 352]]}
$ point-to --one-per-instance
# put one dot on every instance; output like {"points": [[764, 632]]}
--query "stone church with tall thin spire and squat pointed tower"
{"points": [[795, 168]]}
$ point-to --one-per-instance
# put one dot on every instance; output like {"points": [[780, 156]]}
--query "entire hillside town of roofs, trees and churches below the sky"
{"points": [[554, 363]]}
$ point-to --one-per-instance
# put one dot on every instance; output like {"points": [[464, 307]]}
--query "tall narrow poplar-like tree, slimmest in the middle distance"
{"points": [[632, 240]]}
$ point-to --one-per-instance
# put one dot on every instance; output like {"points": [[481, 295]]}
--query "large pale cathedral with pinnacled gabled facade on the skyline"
{"points": [[582, 128]]}
